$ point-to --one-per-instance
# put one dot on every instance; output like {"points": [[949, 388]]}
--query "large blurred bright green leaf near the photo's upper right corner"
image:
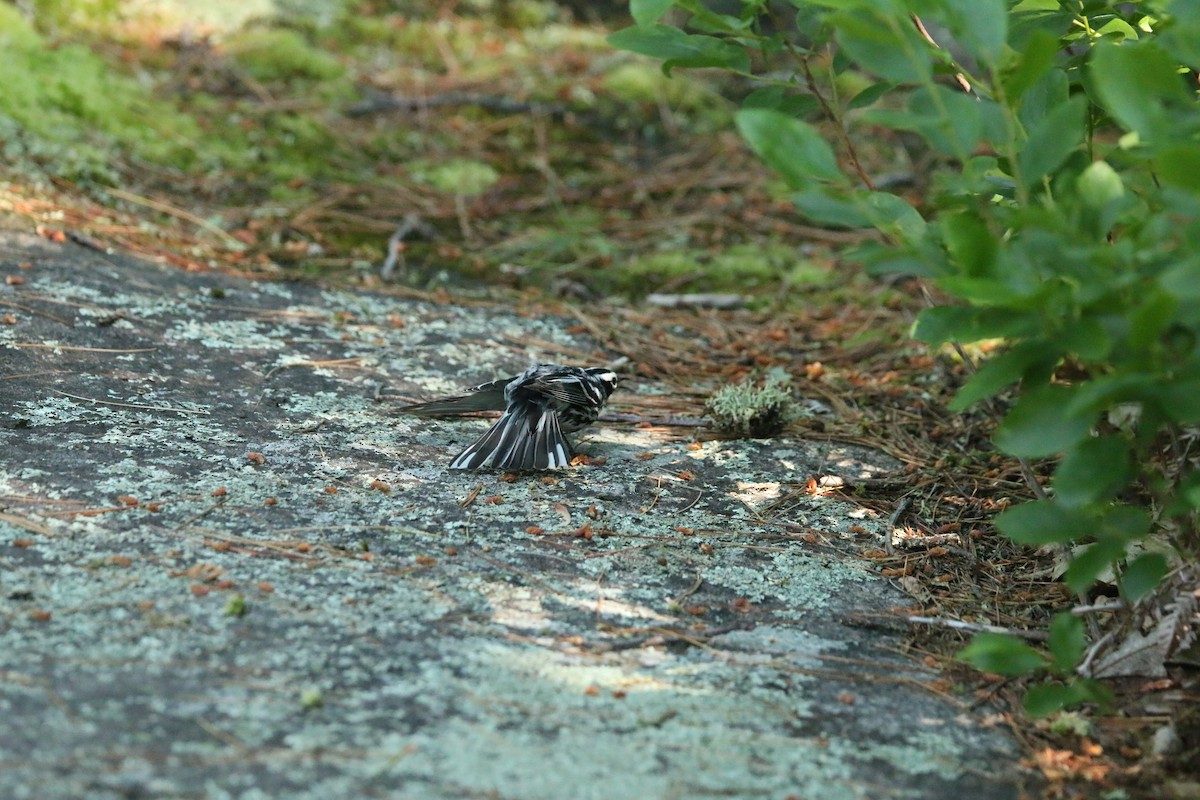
{"points": [[1141, 86]]}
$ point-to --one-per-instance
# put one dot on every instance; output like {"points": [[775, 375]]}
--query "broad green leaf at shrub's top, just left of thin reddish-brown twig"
{"points": [[885, 44]]}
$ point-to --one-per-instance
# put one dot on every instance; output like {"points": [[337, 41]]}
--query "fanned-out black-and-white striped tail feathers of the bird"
{"points": [[526, 437]]}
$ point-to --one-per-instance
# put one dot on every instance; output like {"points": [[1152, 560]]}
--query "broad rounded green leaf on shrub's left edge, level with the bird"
{"points": [[1041, 425]]}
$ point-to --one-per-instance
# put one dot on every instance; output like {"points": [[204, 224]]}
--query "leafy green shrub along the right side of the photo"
{"points": [[1064, 218]]}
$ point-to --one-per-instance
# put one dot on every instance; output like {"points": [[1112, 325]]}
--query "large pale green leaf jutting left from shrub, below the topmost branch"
{"points": [[790, 147]]}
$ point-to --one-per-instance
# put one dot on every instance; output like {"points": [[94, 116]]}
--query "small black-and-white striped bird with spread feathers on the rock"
{"points": [[541, 406]]}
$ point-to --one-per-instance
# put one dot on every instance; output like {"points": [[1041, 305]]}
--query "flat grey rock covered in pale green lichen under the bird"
{"points": [[227, 572]]}
